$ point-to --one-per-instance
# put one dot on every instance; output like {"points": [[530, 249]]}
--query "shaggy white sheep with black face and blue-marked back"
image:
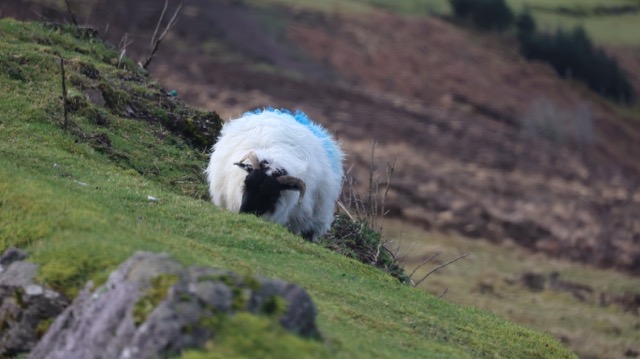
{"points": [[280, 166]]}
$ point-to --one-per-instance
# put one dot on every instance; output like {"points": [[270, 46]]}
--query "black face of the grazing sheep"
{"points": [[261, 192]]}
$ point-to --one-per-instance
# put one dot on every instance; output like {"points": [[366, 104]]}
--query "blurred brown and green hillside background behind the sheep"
{"points": [[512, 127]]}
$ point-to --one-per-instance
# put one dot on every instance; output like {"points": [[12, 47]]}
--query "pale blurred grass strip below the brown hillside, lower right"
{"points": [[482, 280]]}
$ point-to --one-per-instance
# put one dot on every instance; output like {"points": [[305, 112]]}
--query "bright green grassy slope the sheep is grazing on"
{"points": [[78, 201]]}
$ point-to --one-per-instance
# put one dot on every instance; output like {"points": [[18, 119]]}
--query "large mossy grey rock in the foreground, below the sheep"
{"points": [[152, 306]]}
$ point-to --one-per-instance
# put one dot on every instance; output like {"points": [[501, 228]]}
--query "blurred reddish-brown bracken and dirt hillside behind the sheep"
{"points": [[448, 104]]}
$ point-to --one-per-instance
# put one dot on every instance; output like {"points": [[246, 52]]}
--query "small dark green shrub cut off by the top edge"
{"points": [[485, 14]]}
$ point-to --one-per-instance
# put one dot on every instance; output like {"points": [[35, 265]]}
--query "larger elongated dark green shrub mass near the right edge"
{"points": [[573, 55]]}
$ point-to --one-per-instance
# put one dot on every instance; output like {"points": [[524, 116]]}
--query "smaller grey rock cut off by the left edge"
{"points": [[25, 306]]}
